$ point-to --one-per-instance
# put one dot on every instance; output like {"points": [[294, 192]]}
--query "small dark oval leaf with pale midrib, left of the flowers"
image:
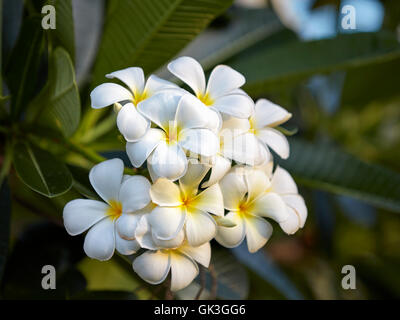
{"points": [[40, 170]]}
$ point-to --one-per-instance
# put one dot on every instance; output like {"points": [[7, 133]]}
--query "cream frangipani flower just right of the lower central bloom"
{"points": [[244, 191]]}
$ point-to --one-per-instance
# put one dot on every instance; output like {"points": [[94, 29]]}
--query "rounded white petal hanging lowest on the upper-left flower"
{"points": [[131, 123]]}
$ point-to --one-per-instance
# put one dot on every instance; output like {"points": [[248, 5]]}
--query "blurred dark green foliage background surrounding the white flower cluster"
{"points": [[50, 137]]}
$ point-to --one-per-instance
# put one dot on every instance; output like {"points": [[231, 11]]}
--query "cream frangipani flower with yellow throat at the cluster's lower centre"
{"points": [[184, 207]]}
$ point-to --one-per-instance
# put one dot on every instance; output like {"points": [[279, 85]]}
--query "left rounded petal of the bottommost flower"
{"points": [[152, 266]]}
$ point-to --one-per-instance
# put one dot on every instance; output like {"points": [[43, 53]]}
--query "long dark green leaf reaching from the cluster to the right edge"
{"points": [[324, 167]]}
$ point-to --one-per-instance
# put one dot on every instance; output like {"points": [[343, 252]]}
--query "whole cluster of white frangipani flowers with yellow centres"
{"points": [[189, 142]]}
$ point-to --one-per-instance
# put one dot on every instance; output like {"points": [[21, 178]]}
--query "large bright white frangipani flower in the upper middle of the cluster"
{"points": [[183, 122]]}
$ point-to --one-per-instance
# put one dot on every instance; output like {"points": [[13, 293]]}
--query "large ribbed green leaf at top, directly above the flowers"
{"points": [[149, 33]]}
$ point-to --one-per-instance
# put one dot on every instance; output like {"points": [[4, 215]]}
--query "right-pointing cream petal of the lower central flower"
{"points": [[210, 200]]}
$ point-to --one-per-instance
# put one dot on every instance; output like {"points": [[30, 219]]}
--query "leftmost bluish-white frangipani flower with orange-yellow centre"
{"points": [[120, 196]]}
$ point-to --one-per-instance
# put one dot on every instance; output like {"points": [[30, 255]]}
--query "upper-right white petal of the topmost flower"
{"points": [[223, 80]]}
